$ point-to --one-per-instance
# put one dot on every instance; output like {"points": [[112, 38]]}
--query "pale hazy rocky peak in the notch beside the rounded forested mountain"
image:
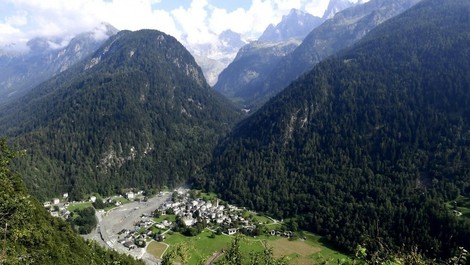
{"points": [[214, 57]]}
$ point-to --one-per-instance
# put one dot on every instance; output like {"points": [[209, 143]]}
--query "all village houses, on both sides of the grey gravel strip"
{"points": [[183, 212]]}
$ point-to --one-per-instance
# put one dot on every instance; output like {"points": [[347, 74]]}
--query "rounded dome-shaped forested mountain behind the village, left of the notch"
{"points": [[137, 113]]}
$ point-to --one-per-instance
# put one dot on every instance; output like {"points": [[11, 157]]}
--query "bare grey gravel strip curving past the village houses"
{"points": [[124, 217]]}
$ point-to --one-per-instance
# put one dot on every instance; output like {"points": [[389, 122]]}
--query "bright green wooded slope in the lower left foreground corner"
{"points": [[29, 235]]}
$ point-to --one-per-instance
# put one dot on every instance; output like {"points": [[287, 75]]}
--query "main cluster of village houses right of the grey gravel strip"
{"points": [[189, 215]]}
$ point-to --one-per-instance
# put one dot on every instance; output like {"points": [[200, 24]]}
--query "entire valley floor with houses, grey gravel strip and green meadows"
{"points": [[145, 227]]}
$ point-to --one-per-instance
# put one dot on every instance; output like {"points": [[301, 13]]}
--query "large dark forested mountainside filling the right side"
{"points": [[366, 148]]}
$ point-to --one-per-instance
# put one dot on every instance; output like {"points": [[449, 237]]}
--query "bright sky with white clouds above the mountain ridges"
{"points": [[200, 21]]}
